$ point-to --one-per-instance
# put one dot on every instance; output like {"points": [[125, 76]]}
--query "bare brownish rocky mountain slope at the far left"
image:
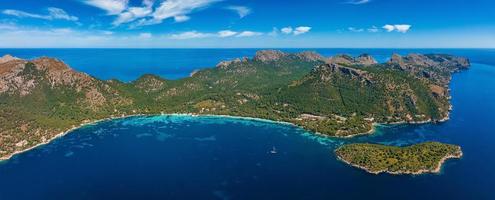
{"points": [[21, 77]]}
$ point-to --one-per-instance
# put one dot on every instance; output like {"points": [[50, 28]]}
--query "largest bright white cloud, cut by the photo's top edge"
{"points": [[176, 9]]}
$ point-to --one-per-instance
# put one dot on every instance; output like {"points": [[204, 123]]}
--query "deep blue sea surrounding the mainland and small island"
{"points": [[183, 157]]}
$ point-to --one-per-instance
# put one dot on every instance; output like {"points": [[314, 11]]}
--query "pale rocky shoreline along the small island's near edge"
{"points": [[437, 169]]}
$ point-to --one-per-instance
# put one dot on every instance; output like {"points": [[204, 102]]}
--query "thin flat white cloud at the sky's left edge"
{"points": [[53, 13]]}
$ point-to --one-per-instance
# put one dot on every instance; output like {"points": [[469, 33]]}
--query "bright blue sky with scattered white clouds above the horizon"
{"points": [[247, 23]]}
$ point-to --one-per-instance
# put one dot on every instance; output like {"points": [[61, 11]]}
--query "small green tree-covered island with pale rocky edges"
{"points": [[420, 158]]}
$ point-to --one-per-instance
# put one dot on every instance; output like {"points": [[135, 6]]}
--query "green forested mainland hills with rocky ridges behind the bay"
{"points": [[338, 96]]}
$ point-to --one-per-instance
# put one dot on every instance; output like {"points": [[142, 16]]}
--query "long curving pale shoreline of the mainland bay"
{"points": [[75, 127]]}
